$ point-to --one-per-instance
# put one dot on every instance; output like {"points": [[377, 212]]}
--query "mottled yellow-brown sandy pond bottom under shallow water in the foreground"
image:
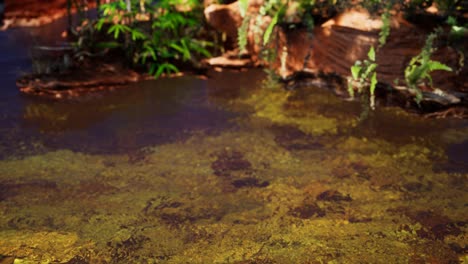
{"points": [[293, 178]]}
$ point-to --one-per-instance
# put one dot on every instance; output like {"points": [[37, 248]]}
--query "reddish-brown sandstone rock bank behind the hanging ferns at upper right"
{"points": [[334, 46]]}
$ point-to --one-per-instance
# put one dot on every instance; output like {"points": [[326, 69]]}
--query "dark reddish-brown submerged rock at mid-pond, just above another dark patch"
{"points": [[228, 162]]}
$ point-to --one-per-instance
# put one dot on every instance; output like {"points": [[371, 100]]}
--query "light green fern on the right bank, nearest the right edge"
{"points": [[420, 67]]}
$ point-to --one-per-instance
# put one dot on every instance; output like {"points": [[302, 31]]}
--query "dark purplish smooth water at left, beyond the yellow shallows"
{"points": [[147, 113]]}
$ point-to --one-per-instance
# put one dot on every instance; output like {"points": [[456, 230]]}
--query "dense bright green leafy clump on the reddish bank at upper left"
{"points": [[160, 34]]}
